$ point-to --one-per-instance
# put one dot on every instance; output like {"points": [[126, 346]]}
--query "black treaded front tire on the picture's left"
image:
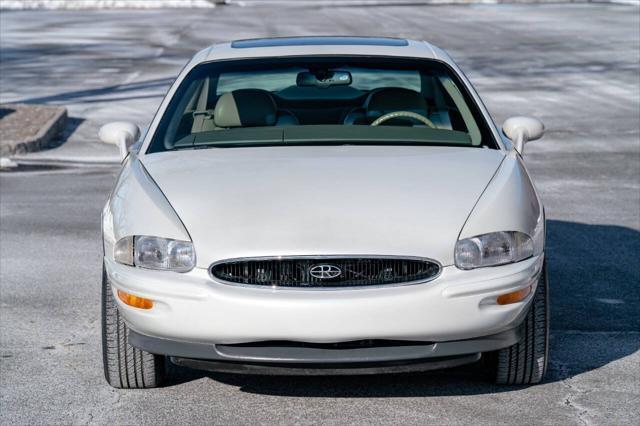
{"points": [[125, 367]]}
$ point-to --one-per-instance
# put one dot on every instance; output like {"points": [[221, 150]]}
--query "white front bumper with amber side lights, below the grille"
{"points": [[191, 307]]}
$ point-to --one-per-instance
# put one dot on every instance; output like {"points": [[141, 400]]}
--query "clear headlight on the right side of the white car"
{"points": [[496, 248]]}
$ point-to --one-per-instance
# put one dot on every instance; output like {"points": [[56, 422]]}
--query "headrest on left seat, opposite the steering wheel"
{"points": [[245, 108]]}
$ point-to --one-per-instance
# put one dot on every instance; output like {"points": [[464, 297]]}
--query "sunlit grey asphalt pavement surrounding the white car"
{"points": [[577, 67]]}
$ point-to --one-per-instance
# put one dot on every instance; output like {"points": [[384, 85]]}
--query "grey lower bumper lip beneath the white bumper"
{"points": [[365, 357]]}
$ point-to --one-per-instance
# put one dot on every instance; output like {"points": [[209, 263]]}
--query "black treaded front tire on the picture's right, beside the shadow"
{"points": [[525, 363]]}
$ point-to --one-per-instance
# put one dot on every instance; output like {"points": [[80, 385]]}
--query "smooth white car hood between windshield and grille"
{"points": [[323, 200]]}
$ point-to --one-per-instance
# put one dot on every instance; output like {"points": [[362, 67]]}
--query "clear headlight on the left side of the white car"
{"points": [[155, 253]]}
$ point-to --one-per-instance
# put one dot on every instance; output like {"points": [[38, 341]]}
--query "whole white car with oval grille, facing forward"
{"points": [[323, 205]]}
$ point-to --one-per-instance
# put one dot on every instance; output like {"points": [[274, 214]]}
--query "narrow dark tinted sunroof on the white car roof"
{"points": [[319, 41]]}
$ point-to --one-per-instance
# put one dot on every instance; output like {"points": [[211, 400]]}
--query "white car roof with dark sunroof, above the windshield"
{"points": [[320, 45]]}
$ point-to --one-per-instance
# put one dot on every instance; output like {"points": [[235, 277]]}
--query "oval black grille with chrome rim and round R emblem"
{"points": [[321, 272]]}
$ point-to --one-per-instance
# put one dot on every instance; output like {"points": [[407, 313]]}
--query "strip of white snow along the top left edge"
{"points": [[103, 4]]}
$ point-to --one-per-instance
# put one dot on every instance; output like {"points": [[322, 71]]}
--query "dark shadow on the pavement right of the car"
{"points": [[594, 274]]}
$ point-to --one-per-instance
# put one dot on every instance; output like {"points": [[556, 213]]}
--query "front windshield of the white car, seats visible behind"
{"points": [[316, 100]]}
